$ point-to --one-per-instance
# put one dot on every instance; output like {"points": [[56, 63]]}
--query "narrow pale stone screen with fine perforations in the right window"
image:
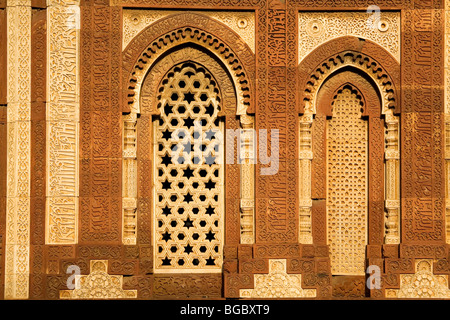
{"points": [[347, 148]]}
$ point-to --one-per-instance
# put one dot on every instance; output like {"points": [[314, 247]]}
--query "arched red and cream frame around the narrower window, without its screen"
{"points": [[338, 63]]}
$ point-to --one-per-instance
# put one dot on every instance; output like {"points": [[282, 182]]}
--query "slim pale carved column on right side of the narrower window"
{"points": [[392, 168]]}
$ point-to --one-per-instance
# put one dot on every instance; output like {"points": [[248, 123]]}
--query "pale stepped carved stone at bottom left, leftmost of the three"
{"points": [[98, 285]]}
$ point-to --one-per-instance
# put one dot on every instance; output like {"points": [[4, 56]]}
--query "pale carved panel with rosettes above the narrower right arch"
{"points": [[315, 28]]}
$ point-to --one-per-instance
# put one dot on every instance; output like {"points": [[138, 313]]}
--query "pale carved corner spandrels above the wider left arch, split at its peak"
{"points": [[243, 23]]}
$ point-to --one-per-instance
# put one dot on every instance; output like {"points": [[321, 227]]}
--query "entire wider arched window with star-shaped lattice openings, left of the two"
{"points": [[186, 80]]}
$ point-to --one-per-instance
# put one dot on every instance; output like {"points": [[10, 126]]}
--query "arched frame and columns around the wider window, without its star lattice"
{"points": [[148, 59]]}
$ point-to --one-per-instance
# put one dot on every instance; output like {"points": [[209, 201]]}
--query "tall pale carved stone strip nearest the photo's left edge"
{"points": [[18, 154]]}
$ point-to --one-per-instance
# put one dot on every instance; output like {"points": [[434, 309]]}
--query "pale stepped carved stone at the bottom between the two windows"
{"points": [[277, 284]]}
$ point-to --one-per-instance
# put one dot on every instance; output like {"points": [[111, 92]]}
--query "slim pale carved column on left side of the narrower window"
{"points": [[305, 158]]}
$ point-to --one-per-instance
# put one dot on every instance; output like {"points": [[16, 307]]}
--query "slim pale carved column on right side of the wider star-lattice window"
{"points": [[247, 147]]}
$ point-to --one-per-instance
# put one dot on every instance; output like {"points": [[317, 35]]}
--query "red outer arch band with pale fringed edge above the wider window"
{"points": [[189, 28]]}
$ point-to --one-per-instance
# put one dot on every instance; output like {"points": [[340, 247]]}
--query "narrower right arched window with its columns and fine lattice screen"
{"points": [[349, 158]]}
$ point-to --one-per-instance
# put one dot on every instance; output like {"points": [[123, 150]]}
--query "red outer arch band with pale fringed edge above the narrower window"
{"points": [[343, 52]]}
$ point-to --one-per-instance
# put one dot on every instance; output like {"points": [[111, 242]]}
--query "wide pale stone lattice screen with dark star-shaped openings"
{"points": [[188, 173]]}
